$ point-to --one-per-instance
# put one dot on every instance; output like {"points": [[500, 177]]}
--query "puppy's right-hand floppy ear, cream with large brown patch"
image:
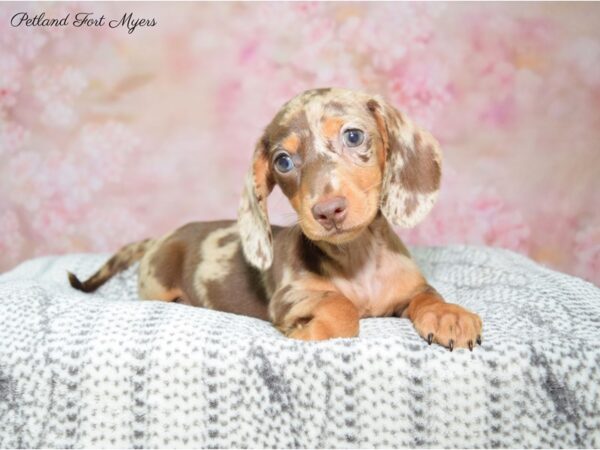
{"points": [[413, 166]]}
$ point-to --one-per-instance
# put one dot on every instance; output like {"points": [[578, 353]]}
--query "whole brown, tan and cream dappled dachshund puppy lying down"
{"points": [[351, 165]]}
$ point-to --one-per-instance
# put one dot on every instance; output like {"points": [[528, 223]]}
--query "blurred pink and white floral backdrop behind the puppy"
{"points": [[108, 137]]}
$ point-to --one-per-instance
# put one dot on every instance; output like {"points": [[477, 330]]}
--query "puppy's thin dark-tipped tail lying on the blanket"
{"points": [[117, 263]]}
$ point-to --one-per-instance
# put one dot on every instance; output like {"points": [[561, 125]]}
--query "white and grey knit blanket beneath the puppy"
{"points": [[107, 370]]}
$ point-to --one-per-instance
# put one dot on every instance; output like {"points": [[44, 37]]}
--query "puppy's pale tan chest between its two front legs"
{"points": [[378, 283]]}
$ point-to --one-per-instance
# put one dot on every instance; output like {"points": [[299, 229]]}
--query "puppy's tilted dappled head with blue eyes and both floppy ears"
{"points": [[339, 156]]}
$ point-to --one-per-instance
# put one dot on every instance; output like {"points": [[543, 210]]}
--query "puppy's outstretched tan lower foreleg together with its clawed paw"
{"points": [[447, 324]]}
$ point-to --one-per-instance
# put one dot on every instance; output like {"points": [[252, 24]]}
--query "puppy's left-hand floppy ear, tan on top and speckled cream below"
{"points": [[253, 219]]}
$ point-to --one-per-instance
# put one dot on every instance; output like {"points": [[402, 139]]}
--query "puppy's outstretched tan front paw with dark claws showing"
{"points": [[448, 325]]}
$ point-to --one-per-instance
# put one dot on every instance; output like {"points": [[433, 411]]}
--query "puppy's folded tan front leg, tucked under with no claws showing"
{"points": [[320, 315]]}
